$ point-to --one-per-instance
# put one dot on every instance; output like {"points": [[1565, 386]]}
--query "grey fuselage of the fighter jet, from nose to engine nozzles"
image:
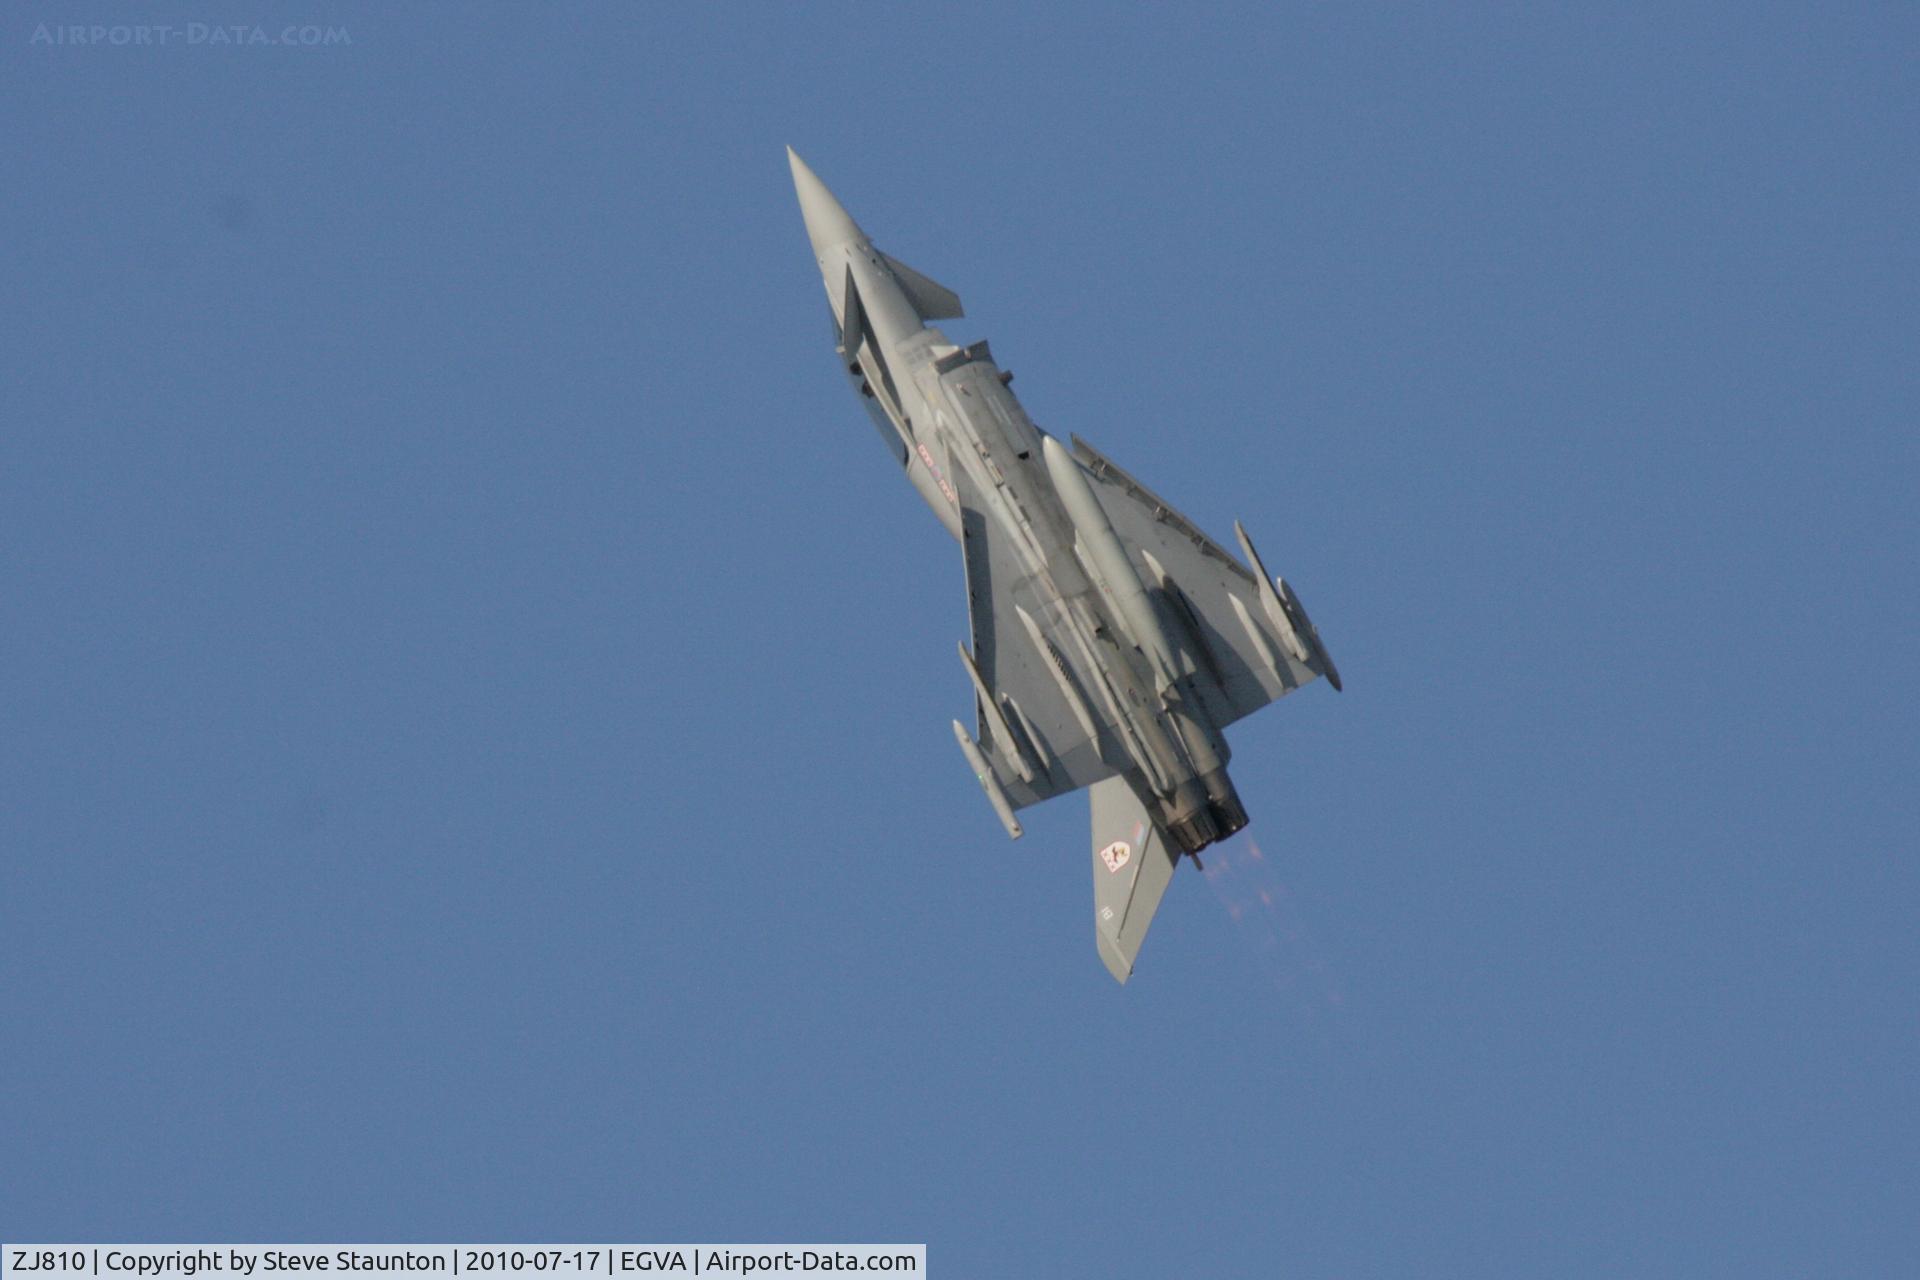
{"points": [[951, 419]]}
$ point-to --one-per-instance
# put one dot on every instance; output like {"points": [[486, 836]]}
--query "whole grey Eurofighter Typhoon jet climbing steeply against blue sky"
{"points": [[1113, 640]]}
